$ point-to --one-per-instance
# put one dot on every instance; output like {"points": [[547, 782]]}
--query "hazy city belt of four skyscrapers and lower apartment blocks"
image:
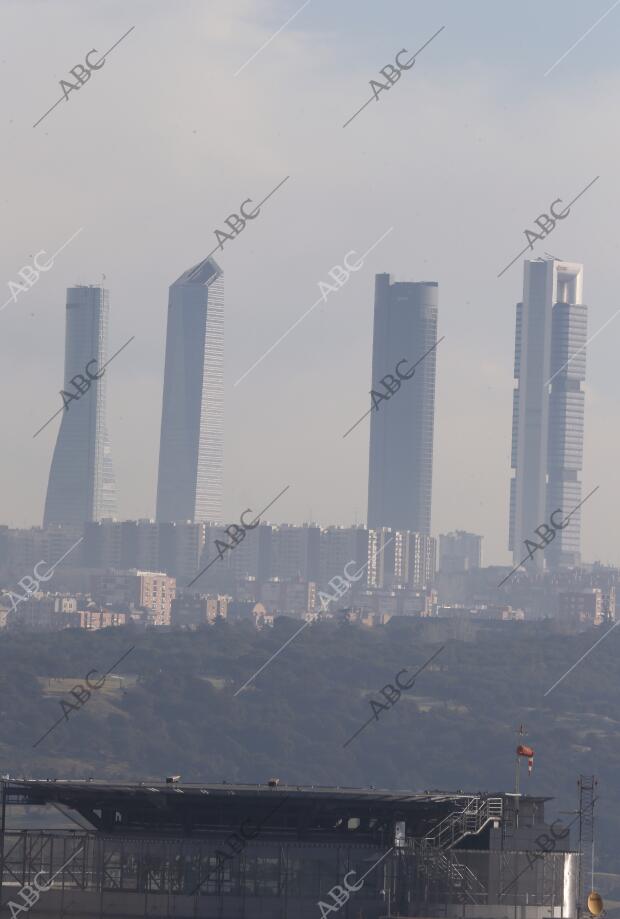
{"points": [[186, 568]]}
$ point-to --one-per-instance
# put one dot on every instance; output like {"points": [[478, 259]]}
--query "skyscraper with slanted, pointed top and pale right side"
{"points": [[191, 450]]}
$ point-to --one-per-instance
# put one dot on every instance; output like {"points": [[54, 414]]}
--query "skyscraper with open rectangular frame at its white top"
{"points": [[548, 410]]}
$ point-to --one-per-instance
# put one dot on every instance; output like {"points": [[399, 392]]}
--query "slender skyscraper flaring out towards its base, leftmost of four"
{"points": [[81, 483]]}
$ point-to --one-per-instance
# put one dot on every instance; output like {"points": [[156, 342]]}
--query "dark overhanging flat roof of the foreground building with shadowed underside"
{"points": [[301, 812]]}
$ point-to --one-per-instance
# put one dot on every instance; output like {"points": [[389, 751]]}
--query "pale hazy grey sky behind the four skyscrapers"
{"points": [[164, 142]]}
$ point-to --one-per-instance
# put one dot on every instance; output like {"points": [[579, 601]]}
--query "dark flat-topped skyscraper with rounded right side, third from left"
{"points": [[401, 430]]}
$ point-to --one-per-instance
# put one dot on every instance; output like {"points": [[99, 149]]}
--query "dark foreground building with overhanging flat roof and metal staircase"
{"points": [[282, 852]]}
